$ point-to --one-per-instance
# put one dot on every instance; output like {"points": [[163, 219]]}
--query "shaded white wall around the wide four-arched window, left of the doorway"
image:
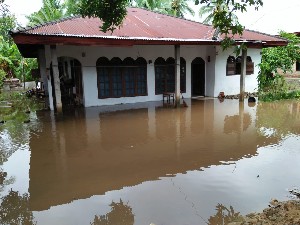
{"points": [[92, 54]]}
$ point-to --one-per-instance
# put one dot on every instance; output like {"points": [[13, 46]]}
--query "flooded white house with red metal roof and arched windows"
{"points": [[150, 54]]}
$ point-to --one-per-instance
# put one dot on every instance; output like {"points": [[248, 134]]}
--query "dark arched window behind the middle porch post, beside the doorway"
{"points": [[165, 75]]}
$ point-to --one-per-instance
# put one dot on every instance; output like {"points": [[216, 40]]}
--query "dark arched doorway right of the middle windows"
{"points": [[198, 77]]}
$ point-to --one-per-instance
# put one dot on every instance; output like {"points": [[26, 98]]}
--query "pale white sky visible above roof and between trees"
{"points": [[274, 16]]}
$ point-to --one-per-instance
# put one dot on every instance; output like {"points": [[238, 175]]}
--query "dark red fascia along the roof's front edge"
{"points": [[38, 40]]}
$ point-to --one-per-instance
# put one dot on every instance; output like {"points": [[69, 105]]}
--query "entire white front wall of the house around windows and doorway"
{"points": [[216, 79]]}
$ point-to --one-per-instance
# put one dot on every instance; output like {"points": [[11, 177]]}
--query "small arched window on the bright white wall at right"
{"points": [[234, 66]]}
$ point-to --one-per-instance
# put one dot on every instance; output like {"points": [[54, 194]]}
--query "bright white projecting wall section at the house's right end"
{"points": [[230, 85]]}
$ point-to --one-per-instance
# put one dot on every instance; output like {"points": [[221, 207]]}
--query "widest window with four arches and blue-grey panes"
{"points": [[117, 78]]}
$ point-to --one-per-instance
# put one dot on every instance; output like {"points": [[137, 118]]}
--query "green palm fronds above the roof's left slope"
{"points": [[51, 10]]}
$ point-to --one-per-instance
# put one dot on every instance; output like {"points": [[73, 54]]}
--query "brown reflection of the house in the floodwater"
{"points": [[97, 150]]}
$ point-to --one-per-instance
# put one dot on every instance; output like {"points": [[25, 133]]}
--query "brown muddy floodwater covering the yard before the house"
{"points": [[146, 164]]}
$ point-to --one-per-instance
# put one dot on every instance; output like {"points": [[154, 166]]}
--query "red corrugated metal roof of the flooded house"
{"points": [[139, 27]]}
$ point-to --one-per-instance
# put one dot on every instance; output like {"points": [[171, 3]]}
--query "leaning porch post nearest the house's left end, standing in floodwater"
{"points": [[56, 79]]}
